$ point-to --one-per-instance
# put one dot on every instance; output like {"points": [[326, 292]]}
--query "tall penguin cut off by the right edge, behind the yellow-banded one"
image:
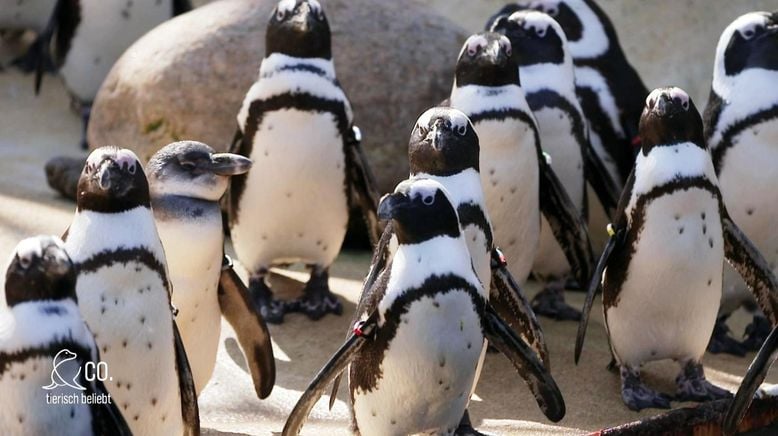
{"points": [[741, 127]]}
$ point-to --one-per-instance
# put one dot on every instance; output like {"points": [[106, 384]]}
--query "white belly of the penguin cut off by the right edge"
{"points": [[748, 177]]}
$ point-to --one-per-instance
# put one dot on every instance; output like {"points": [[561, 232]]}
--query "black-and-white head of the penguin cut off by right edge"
{"points": [[751, 41]]}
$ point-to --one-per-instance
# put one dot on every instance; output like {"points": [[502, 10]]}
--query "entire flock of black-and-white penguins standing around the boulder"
{"points": [[544, 106]]}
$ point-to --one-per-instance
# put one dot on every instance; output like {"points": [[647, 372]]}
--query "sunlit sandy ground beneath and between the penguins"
{"points": [[34, 129]]}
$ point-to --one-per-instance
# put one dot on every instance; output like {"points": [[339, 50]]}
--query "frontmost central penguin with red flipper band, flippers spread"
{"points": [[412, 357]]}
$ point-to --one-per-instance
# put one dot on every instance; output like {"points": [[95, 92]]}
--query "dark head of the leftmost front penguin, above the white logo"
{"points": [[40, 269]]}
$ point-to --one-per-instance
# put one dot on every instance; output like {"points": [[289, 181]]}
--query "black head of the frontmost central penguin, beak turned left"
{"points": [[420, 209]]}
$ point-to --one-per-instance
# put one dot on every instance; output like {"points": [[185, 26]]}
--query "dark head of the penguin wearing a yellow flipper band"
{"points": [[670, 117]]}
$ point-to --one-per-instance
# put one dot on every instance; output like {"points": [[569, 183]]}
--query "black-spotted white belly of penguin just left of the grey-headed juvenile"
{"points": [[126, 307]]}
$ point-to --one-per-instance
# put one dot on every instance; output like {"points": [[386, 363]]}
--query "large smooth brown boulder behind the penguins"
{"points": [[186, 78]]}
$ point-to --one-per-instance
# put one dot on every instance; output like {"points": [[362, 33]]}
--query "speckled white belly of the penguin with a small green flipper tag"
{"points": [[509, 175]]}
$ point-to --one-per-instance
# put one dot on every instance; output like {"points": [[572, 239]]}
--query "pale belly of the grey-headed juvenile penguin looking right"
{"points": [[193, 251]]}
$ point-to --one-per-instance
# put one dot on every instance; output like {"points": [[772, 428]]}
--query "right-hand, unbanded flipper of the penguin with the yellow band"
{"points": [[741, 253]]}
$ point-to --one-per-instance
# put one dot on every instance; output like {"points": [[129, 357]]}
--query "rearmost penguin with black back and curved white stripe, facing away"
{"points": [[610, 90]]}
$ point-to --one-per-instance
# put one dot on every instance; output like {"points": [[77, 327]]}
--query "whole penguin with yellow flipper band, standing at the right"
{"points": [[661, 270]]}
